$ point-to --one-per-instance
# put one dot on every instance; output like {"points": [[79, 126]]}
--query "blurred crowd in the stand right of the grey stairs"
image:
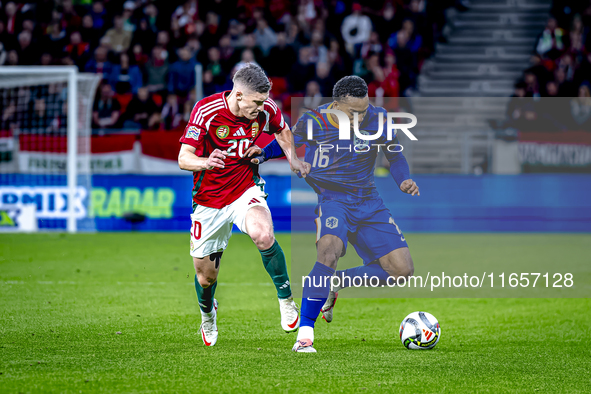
{"points": [[560, 67]]}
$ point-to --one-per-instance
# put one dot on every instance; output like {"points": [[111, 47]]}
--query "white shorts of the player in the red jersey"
{"points": [[211, 228]]}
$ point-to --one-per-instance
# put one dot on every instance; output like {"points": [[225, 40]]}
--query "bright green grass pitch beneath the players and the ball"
{"points": [[118, 313]]}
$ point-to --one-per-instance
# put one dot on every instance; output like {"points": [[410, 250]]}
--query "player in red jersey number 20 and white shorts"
{"points": [[227, 188]]}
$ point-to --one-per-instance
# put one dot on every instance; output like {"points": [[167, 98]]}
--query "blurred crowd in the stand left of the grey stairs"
{"points": [[146, 51]]}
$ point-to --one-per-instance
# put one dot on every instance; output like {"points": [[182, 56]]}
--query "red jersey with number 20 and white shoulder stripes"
{"points": [[213, 126]]}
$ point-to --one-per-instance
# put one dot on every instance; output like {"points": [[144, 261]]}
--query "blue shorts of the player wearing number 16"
{"points": [[366, 223]]}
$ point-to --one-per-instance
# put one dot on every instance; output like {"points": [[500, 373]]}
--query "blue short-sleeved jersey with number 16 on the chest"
{"points": [[345, 166]]}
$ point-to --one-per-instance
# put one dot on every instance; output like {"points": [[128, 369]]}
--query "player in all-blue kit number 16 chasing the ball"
{"points": [[349, 207]]}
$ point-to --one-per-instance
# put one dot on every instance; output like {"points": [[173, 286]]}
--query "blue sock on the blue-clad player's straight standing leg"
{"points": [[316, 289]]}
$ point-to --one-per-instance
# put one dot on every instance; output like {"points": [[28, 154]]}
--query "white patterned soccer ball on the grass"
{"points": [[420, 330]]}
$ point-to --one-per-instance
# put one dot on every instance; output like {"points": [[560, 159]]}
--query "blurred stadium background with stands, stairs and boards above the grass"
{"points": [[498, 86]]}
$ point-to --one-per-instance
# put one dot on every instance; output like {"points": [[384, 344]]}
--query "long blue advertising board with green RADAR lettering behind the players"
{"points": [[448, 203]]}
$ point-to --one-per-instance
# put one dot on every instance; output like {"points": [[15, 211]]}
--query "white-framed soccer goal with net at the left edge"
{"points": [[45, 177]]}
